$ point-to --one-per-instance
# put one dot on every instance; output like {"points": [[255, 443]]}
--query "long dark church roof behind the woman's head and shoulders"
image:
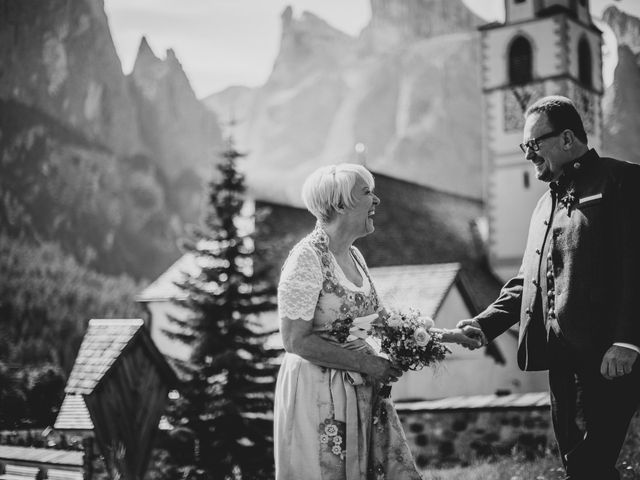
{"points": [[415, 225]]}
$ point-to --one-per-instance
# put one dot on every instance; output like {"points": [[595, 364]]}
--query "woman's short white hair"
{"points": [[330, 188]]}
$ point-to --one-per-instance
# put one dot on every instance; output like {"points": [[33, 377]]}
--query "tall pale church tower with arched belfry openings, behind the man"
{"points": [[544, 47]]}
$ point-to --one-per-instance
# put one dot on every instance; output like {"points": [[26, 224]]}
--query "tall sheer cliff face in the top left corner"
{"points": [[58, 56]]}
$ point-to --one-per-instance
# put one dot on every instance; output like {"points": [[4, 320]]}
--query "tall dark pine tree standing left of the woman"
{"points": [[227, 403]]}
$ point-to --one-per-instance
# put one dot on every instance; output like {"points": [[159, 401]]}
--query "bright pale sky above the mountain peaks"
{"points": [[235, 42]]}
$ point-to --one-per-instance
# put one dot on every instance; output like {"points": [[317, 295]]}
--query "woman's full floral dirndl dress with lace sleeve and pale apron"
{"points": [[332, 424]]}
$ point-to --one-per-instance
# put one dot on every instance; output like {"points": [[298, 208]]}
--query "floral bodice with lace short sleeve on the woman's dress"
{"points": [[314, 287]]}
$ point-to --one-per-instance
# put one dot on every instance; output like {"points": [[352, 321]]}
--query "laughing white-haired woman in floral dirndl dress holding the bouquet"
{"points": [[330, 421]]}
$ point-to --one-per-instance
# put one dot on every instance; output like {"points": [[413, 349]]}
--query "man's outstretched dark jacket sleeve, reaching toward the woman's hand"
{"points": [[505, 310]]}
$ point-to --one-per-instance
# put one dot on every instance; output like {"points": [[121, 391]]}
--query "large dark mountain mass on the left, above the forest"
{"points": [[108, 166]]}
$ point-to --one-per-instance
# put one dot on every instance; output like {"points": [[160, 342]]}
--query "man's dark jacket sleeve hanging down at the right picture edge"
{"points": [[626, 328]]}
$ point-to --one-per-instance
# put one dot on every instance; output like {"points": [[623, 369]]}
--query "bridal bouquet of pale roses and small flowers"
{"points": [[407, 340]]}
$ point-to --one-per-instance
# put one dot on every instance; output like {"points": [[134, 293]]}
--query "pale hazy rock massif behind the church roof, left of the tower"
{"points": [[407, 89]]}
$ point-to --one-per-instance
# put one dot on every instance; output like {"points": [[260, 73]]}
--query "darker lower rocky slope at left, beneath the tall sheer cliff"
{"points": [[113, 214]]}
